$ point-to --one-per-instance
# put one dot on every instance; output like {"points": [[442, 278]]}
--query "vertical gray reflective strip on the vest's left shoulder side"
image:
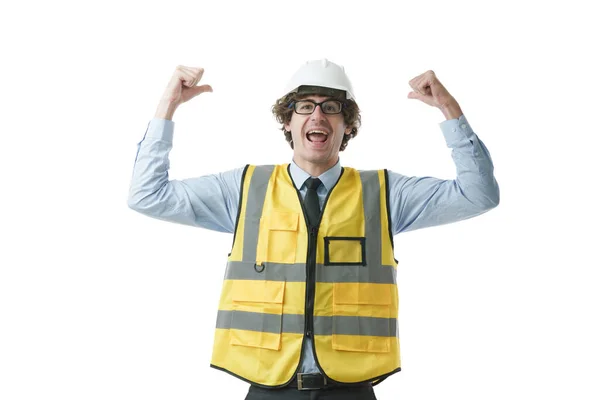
{"points": [[254, 205]]}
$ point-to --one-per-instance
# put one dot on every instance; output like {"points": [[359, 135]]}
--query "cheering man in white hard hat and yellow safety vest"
{"points": [[309, 303]]}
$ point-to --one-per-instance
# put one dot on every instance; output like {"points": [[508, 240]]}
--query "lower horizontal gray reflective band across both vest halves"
{"points": [[294, 323]]}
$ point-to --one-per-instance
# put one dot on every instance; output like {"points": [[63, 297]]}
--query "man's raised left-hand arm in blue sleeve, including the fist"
{"points": [[209, 201]]}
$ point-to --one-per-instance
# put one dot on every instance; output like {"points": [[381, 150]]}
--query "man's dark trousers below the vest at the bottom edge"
{"points": [[292, 393]]}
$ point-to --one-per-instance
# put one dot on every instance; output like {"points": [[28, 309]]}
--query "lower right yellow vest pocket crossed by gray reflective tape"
{"points": [[361, 317]]}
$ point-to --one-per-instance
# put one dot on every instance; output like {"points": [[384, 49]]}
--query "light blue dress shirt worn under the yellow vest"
{"points": [[211, 201]]}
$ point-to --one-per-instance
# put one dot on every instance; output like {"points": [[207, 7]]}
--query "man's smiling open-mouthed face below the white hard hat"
{"points": [[317, 137]]}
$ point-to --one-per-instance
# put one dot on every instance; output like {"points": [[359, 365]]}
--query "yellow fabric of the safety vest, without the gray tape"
{"points": [[270, 357]]}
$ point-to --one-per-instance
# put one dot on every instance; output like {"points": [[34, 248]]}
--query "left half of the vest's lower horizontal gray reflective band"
{"points": [[260, 322]]}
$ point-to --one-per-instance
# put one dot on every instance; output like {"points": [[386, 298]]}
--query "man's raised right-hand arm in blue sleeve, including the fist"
{"points": [[419, 202]]}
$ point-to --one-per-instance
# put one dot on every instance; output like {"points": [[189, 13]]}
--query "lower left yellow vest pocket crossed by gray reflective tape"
{"points": [[257, 314]]}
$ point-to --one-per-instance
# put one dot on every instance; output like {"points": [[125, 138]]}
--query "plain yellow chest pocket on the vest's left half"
{"points": [[282, 237]]}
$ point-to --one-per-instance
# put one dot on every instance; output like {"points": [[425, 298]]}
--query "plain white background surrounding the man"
{"points": [[100, 302]]}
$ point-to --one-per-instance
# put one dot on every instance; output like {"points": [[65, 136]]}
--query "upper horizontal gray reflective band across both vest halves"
{"points": [[240, 270]]}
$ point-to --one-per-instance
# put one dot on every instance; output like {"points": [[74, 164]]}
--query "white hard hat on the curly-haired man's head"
{"points": [[322, 73]]}
